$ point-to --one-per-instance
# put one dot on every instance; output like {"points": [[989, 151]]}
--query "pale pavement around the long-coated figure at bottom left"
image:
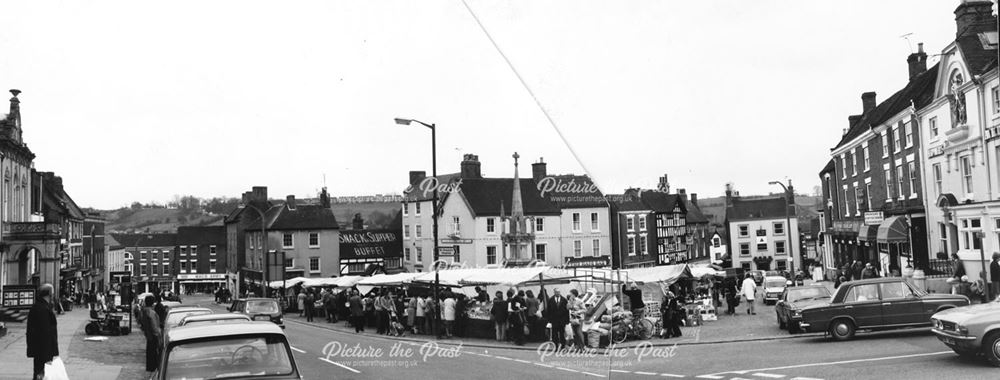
{"points": [[83, 359]]}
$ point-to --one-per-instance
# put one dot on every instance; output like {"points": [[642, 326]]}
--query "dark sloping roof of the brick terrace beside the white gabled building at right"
{"points": [[920, 90]]}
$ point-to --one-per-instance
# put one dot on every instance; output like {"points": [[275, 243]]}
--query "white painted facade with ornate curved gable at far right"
{"points": [[962, 159]]}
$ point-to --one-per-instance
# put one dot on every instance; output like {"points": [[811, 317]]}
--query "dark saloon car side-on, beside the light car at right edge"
{"points": [[876, 304]]}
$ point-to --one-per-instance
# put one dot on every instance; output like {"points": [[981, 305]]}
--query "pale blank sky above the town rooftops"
{"points": [[141, 101]]}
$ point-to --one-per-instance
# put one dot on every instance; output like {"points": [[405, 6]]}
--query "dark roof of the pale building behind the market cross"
{"points": [[485, 196]]}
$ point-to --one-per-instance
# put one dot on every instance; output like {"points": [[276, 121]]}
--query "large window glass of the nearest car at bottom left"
{"points": [[229, 357]]}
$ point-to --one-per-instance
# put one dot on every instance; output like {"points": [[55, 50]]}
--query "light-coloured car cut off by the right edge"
{"points": [[971, 330]]}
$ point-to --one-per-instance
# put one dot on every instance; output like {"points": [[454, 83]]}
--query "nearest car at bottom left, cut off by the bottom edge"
{"points": [[252, 350]]}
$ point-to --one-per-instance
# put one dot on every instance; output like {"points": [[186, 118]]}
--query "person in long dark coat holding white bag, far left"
{"points": [[43, 344]]}
